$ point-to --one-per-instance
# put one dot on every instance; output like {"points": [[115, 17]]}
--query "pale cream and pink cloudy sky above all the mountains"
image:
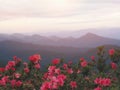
{"points": [[27, 16]]}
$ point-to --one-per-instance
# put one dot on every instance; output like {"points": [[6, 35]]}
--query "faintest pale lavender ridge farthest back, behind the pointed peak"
{"points": [[104, 32]]}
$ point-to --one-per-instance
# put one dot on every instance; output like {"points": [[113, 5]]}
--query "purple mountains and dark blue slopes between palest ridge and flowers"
{"points": [[52, 47]]}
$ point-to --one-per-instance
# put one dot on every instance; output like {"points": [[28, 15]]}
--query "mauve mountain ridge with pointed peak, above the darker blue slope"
{"points": [[88, 40]]}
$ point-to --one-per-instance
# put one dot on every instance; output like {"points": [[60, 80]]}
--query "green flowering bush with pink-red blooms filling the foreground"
{"points": [[100, 72]]}
